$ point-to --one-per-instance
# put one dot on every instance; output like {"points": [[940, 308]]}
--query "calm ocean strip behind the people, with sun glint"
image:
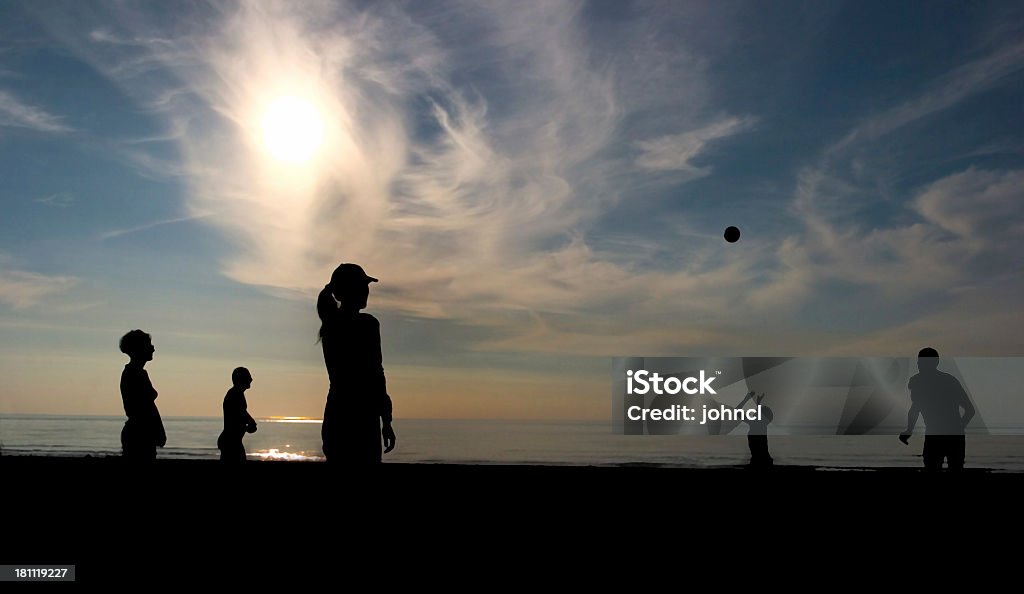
{"points": [[493, 442]]}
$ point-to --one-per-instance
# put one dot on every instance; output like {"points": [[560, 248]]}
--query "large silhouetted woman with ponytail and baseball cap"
{"points": [[358, 415]]}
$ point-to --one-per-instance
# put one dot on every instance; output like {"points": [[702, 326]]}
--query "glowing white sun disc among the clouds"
{"points": [[292, 130]]}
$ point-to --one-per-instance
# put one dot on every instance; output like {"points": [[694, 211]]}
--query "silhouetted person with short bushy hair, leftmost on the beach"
{"points": [[144, 432]]}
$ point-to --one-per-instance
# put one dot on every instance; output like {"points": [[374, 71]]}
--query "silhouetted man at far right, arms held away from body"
{"points": [[938, 398]]}
